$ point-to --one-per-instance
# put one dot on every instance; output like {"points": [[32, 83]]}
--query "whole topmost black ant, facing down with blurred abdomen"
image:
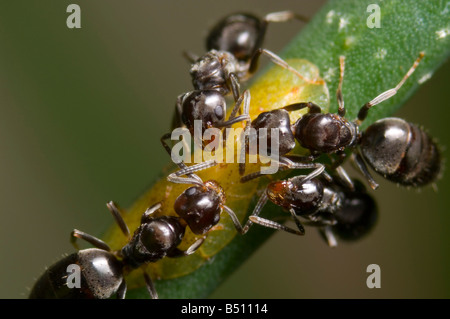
{"points": [[233, 54]]}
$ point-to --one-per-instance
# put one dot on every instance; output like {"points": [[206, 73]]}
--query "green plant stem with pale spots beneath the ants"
{"points": [[376, 60]]}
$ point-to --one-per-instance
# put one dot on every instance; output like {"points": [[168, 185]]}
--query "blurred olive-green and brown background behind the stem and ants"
{"points": [[81, 115]]}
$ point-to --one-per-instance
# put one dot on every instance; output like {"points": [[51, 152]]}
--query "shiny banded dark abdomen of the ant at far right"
{"points": [[402, 152]]}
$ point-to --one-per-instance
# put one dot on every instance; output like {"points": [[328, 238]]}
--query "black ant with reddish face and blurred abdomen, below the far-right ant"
{"points": [[334, 209]]}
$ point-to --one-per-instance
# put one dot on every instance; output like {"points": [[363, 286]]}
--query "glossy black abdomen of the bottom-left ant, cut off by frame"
{"points": [[100, 277]]}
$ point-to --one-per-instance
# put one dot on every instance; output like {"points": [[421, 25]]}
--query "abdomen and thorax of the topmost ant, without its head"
{"points": [[234, 48]]}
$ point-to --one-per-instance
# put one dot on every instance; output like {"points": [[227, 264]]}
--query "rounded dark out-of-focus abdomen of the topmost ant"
{"points": [[239, 34]]}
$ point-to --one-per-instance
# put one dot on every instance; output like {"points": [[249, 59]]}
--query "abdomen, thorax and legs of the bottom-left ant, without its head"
{"points": [[102, 270]]}
